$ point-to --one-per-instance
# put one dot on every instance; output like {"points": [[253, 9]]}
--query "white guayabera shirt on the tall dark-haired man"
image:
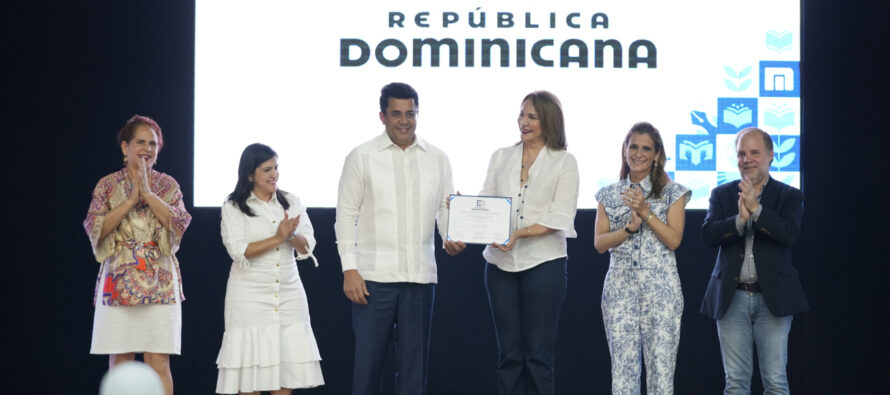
{"points": [[388, 203]]}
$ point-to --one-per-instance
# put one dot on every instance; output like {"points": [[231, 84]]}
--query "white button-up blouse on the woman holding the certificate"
{"points": [[549, 198]]}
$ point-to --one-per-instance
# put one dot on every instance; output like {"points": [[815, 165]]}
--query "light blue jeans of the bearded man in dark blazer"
{"points": [[749, 323]]}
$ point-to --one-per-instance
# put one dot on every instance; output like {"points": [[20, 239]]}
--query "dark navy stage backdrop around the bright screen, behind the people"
{"points": [[74, 72]]}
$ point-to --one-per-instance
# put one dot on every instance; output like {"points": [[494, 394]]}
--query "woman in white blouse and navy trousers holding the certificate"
{"points": [[526, 277]]}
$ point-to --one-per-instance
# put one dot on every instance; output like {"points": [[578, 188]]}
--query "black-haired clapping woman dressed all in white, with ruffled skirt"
{"points": [[268, 344]]}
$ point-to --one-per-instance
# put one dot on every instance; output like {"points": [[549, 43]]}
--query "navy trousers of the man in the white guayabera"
{"points": [[399, 315]]}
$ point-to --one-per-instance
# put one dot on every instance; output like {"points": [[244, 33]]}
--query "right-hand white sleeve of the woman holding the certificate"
{"points": [[565, 199]]}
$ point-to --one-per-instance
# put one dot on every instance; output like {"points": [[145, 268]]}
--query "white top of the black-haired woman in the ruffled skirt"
{"points": [[238, 230]]}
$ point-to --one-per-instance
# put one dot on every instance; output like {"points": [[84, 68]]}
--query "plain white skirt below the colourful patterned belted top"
{"points": [[154, 328]]}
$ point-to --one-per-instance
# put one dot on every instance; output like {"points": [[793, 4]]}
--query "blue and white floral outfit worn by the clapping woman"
{"points": [[642, 301]]}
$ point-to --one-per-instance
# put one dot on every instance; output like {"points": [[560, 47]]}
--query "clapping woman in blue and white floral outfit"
{"points": [[639, 220]]}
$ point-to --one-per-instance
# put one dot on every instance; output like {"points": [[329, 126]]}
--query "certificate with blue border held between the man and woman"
{"points": [[479, 219]]}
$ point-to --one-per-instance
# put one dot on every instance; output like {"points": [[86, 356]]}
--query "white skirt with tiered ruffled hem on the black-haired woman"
{"points": [[268, 343]]}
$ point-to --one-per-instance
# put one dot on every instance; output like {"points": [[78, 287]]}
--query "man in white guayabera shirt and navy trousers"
{"points": [[392, 191]]}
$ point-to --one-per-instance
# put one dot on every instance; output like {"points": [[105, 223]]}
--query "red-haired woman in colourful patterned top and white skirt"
{"points": [[135, 222]]}
